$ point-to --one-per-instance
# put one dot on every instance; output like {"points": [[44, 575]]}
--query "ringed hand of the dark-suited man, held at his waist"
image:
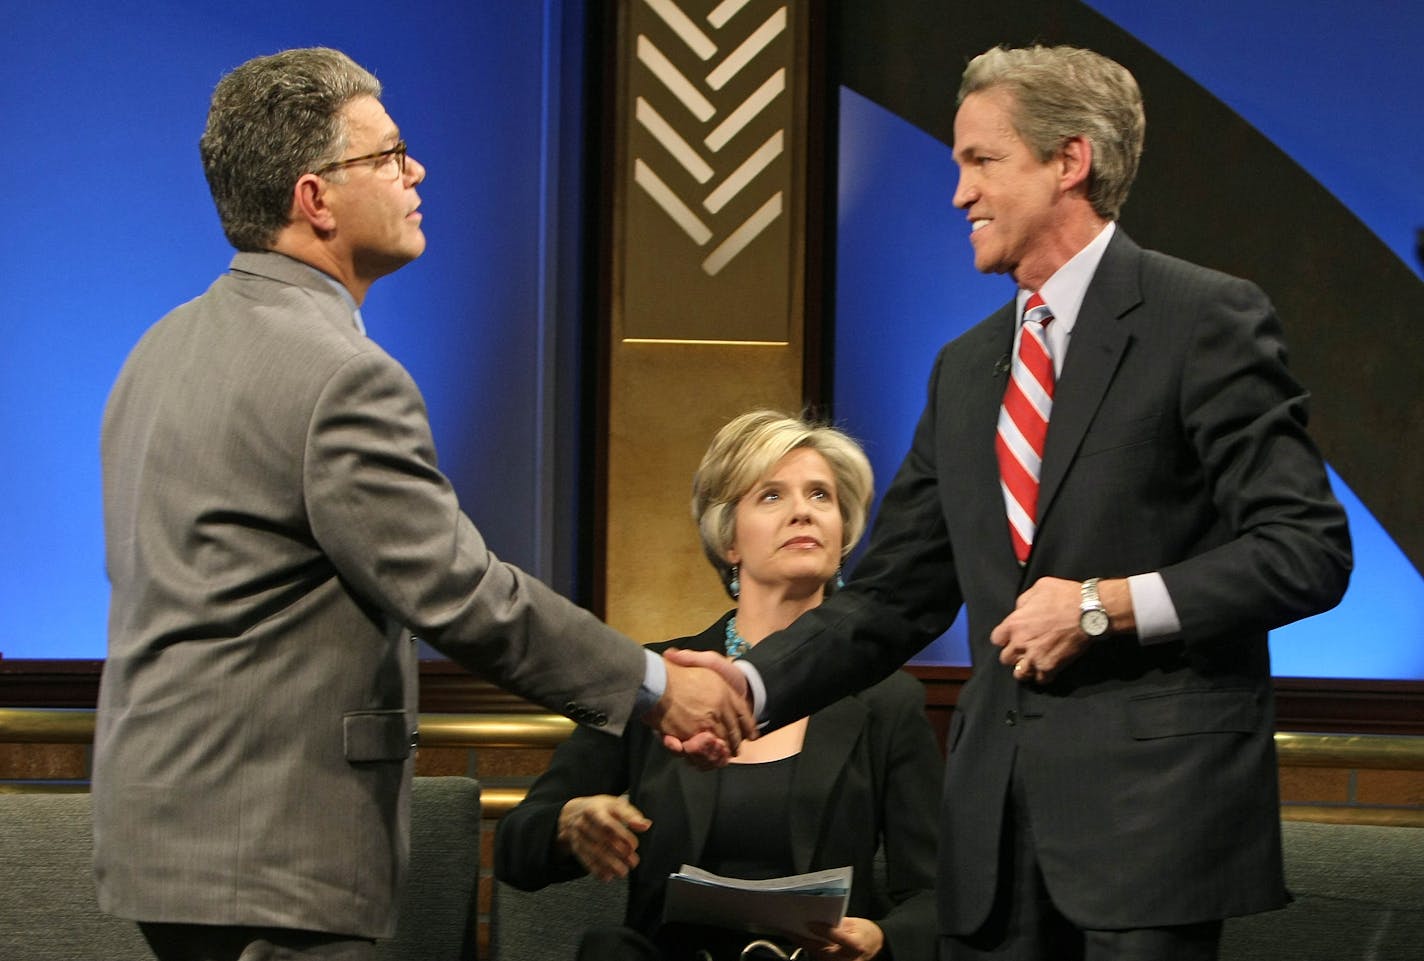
{"points": [[1042, 637]]}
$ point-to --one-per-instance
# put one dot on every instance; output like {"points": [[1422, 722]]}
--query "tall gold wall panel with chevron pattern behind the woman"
{"points": [[708, 277]]}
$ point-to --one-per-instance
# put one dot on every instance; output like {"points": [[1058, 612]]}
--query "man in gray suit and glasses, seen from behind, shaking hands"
{"points": [[277, 529]]}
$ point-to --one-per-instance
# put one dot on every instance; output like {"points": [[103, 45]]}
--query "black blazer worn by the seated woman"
{"points": [[869, 775]]}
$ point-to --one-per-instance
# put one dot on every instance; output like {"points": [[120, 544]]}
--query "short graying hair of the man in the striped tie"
{"points": [[1062, 93]]}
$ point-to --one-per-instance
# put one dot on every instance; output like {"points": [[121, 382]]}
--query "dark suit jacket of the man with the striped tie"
{"points": [[1177, 445]]}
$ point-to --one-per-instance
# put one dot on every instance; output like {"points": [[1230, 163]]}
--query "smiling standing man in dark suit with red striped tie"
{"points": [[1111, 788]]}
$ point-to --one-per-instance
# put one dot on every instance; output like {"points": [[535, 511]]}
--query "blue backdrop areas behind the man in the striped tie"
{"points": [[1338, 90]]}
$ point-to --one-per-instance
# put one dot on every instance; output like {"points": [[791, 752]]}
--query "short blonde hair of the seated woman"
{"points": [[747, 451]]}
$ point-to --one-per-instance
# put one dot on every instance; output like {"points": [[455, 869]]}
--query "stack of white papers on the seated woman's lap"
{"points": [[790, 908]]}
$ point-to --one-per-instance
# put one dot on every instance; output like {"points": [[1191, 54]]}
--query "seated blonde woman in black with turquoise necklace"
{"points": [[780, 503]]}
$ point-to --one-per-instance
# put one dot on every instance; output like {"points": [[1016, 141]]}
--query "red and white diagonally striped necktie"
{"points": [[1023, 425]]}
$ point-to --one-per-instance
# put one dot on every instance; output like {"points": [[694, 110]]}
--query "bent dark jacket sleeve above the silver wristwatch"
{"points": [[1288, 550]]}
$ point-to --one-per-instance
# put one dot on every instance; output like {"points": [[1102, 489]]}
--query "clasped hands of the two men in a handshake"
{"points": [[706, 711]]}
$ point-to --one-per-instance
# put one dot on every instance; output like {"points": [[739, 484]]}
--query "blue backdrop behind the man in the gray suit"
{"points": [[109, 224]]}
